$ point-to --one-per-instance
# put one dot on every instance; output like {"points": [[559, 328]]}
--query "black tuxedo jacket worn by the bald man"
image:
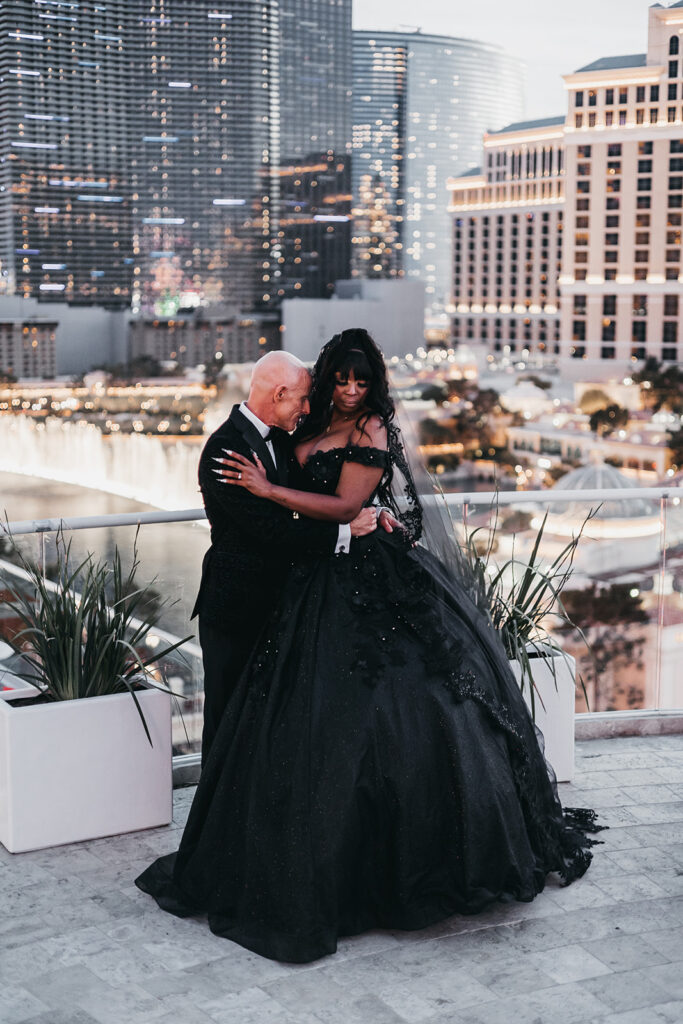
{"points": [[253, 541]]}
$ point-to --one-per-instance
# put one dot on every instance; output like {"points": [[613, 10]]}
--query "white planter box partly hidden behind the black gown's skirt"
{"points": [[554, 705]]}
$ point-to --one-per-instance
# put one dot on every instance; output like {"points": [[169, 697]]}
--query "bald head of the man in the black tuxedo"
{"points": [[279, 394]]}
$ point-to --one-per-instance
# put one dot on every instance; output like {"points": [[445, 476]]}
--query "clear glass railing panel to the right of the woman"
{"points": [[626, 590]]}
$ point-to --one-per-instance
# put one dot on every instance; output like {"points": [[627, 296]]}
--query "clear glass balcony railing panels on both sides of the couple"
{"points": [[625, 594]]}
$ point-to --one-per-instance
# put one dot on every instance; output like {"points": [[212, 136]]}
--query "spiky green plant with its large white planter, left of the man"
{"points": [[90, 754]]}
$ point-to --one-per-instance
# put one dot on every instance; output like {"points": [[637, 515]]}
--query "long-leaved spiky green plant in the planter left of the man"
{"points": [[82, 634]]}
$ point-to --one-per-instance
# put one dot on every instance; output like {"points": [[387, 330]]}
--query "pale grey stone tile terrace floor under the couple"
{"points": [[79, 945]]}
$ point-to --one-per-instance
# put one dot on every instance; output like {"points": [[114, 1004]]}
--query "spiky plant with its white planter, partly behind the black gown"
{"points": [[524, 601]]}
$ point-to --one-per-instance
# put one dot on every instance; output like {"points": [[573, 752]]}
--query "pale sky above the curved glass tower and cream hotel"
{"points": [[552, 37]]}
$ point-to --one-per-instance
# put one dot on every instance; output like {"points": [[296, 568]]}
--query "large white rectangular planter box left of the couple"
{"points": [[75, 771]]}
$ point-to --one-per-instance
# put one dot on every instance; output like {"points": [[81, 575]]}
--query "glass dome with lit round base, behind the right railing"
{"points": [[632, 518]]}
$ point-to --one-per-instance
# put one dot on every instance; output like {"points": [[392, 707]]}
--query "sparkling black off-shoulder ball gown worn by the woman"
{"points": [[377, 766]]}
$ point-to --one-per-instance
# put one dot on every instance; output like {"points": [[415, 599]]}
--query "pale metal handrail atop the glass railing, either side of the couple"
{"points": [[553, 497]]}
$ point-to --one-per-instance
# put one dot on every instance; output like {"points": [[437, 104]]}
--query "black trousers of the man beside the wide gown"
{"points": [[226, 655]]}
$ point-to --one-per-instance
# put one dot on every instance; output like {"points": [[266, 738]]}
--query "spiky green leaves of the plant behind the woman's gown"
{"points": [[524, 600]]}
